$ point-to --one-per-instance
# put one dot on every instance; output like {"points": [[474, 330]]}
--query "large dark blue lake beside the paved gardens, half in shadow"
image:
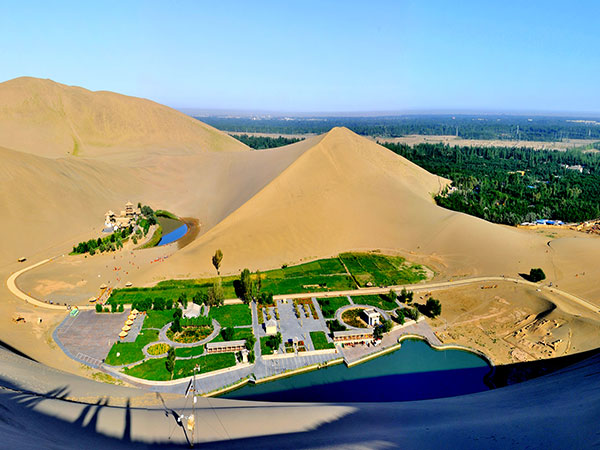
{"points": [[414, 372]]}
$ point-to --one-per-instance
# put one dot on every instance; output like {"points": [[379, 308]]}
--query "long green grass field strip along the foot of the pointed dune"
{"points": [[322, 275]]}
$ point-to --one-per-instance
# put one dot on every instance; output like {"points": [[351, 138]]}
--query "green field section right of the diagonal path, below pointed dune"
{"points": [[382, 270]]}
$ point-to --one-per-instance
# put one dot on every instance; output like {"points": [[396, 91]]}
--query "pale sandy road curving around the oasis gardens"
{"points": [[12, 287]]}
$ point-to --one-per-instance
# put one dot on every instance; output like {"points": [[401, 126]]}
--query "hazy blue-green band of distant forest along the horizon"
{"points": [[504, 127]]}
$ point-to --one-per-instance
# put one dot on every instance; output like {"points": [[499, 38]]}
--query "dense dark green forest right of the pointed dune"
{"points": [[513, 185]]}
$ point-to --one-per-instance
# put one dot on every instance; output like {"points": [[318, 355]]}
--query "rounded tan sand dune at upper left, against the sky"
{"points": [[53, 120]]}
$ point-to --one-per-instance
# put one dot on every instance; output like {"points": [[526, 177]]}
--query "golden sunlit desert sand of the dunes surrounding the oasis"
{"points": [[69, 154]]}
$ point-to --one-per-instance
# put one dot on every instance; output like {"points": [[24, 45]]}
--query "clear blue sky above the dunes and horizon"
{"points": [[316, 56]]}
